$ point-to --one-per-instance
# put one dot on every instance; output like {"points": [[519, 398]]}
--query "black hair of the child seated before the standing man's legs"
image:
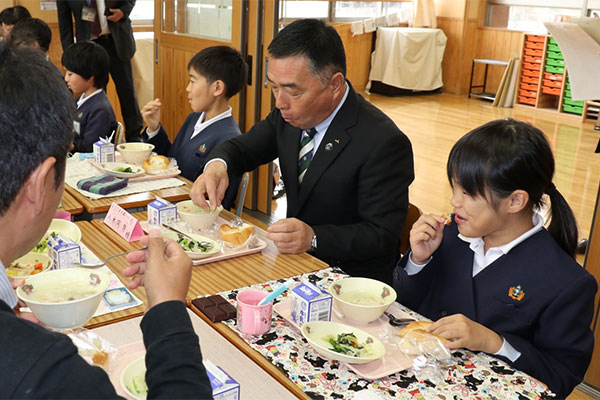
{"points": [[88, 59]]}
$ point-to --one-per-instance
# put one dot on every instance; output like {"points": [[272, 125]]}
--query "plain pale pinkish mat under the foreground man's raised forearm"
{"points": [[254, 382]]}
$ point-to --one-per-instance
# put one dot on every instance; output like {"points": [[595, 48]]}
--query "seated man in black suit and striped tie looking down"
{"points": [[346, 166]]}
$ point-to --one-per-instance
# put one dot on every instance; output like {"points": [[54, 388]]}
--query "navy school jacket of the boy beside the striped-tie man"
{"points": [[191, 154]]}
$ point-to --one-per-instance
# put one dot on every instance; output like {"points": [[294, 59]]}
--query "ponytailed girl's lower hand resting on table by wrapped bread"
{"points": [[467, 334]]}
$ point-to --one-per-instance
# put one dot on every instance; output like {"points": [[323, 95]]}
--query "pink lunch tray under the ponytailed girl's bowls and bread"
{"points": [[394, 359]]}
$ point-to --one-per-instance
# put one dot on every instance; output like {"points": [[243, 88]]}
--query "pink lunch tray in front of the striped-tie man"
{"points": [[254, 244]]}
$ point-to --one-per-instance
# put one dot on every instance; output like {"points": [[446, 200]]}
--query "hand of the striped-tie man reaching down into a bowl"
{"points": [[212, 183]]}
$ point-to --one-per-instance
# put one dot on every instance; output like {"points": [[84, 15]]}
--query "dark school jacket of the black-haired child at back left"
{"points": [[96, 119]]}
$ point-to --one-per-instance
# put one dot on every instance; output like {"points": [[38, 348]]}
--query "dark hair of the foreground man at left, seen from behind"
{"points": [[36, 119]]}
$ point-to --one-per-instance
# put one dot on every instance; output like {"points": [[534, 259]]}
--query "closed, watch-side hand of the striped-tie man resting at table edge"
{"points": [[291, 235]]}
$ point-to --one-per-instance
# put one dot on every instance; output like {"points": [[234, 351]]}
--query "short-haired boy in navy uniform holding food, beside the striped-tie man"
{"points": [[216, 74]]}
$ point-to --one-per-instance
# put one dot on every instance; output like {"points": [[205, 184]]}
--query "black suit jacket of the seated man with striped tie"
{"points": [[355, 192]]}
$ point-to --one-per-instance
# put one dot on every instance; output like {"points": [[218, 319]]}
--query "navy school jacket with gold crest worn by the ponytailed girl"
{"points": [[536, 297]]}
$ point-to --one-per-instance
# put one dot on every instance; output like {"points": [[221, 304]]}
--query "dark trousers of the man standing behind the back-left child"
{"points": [[122, 75]]}
